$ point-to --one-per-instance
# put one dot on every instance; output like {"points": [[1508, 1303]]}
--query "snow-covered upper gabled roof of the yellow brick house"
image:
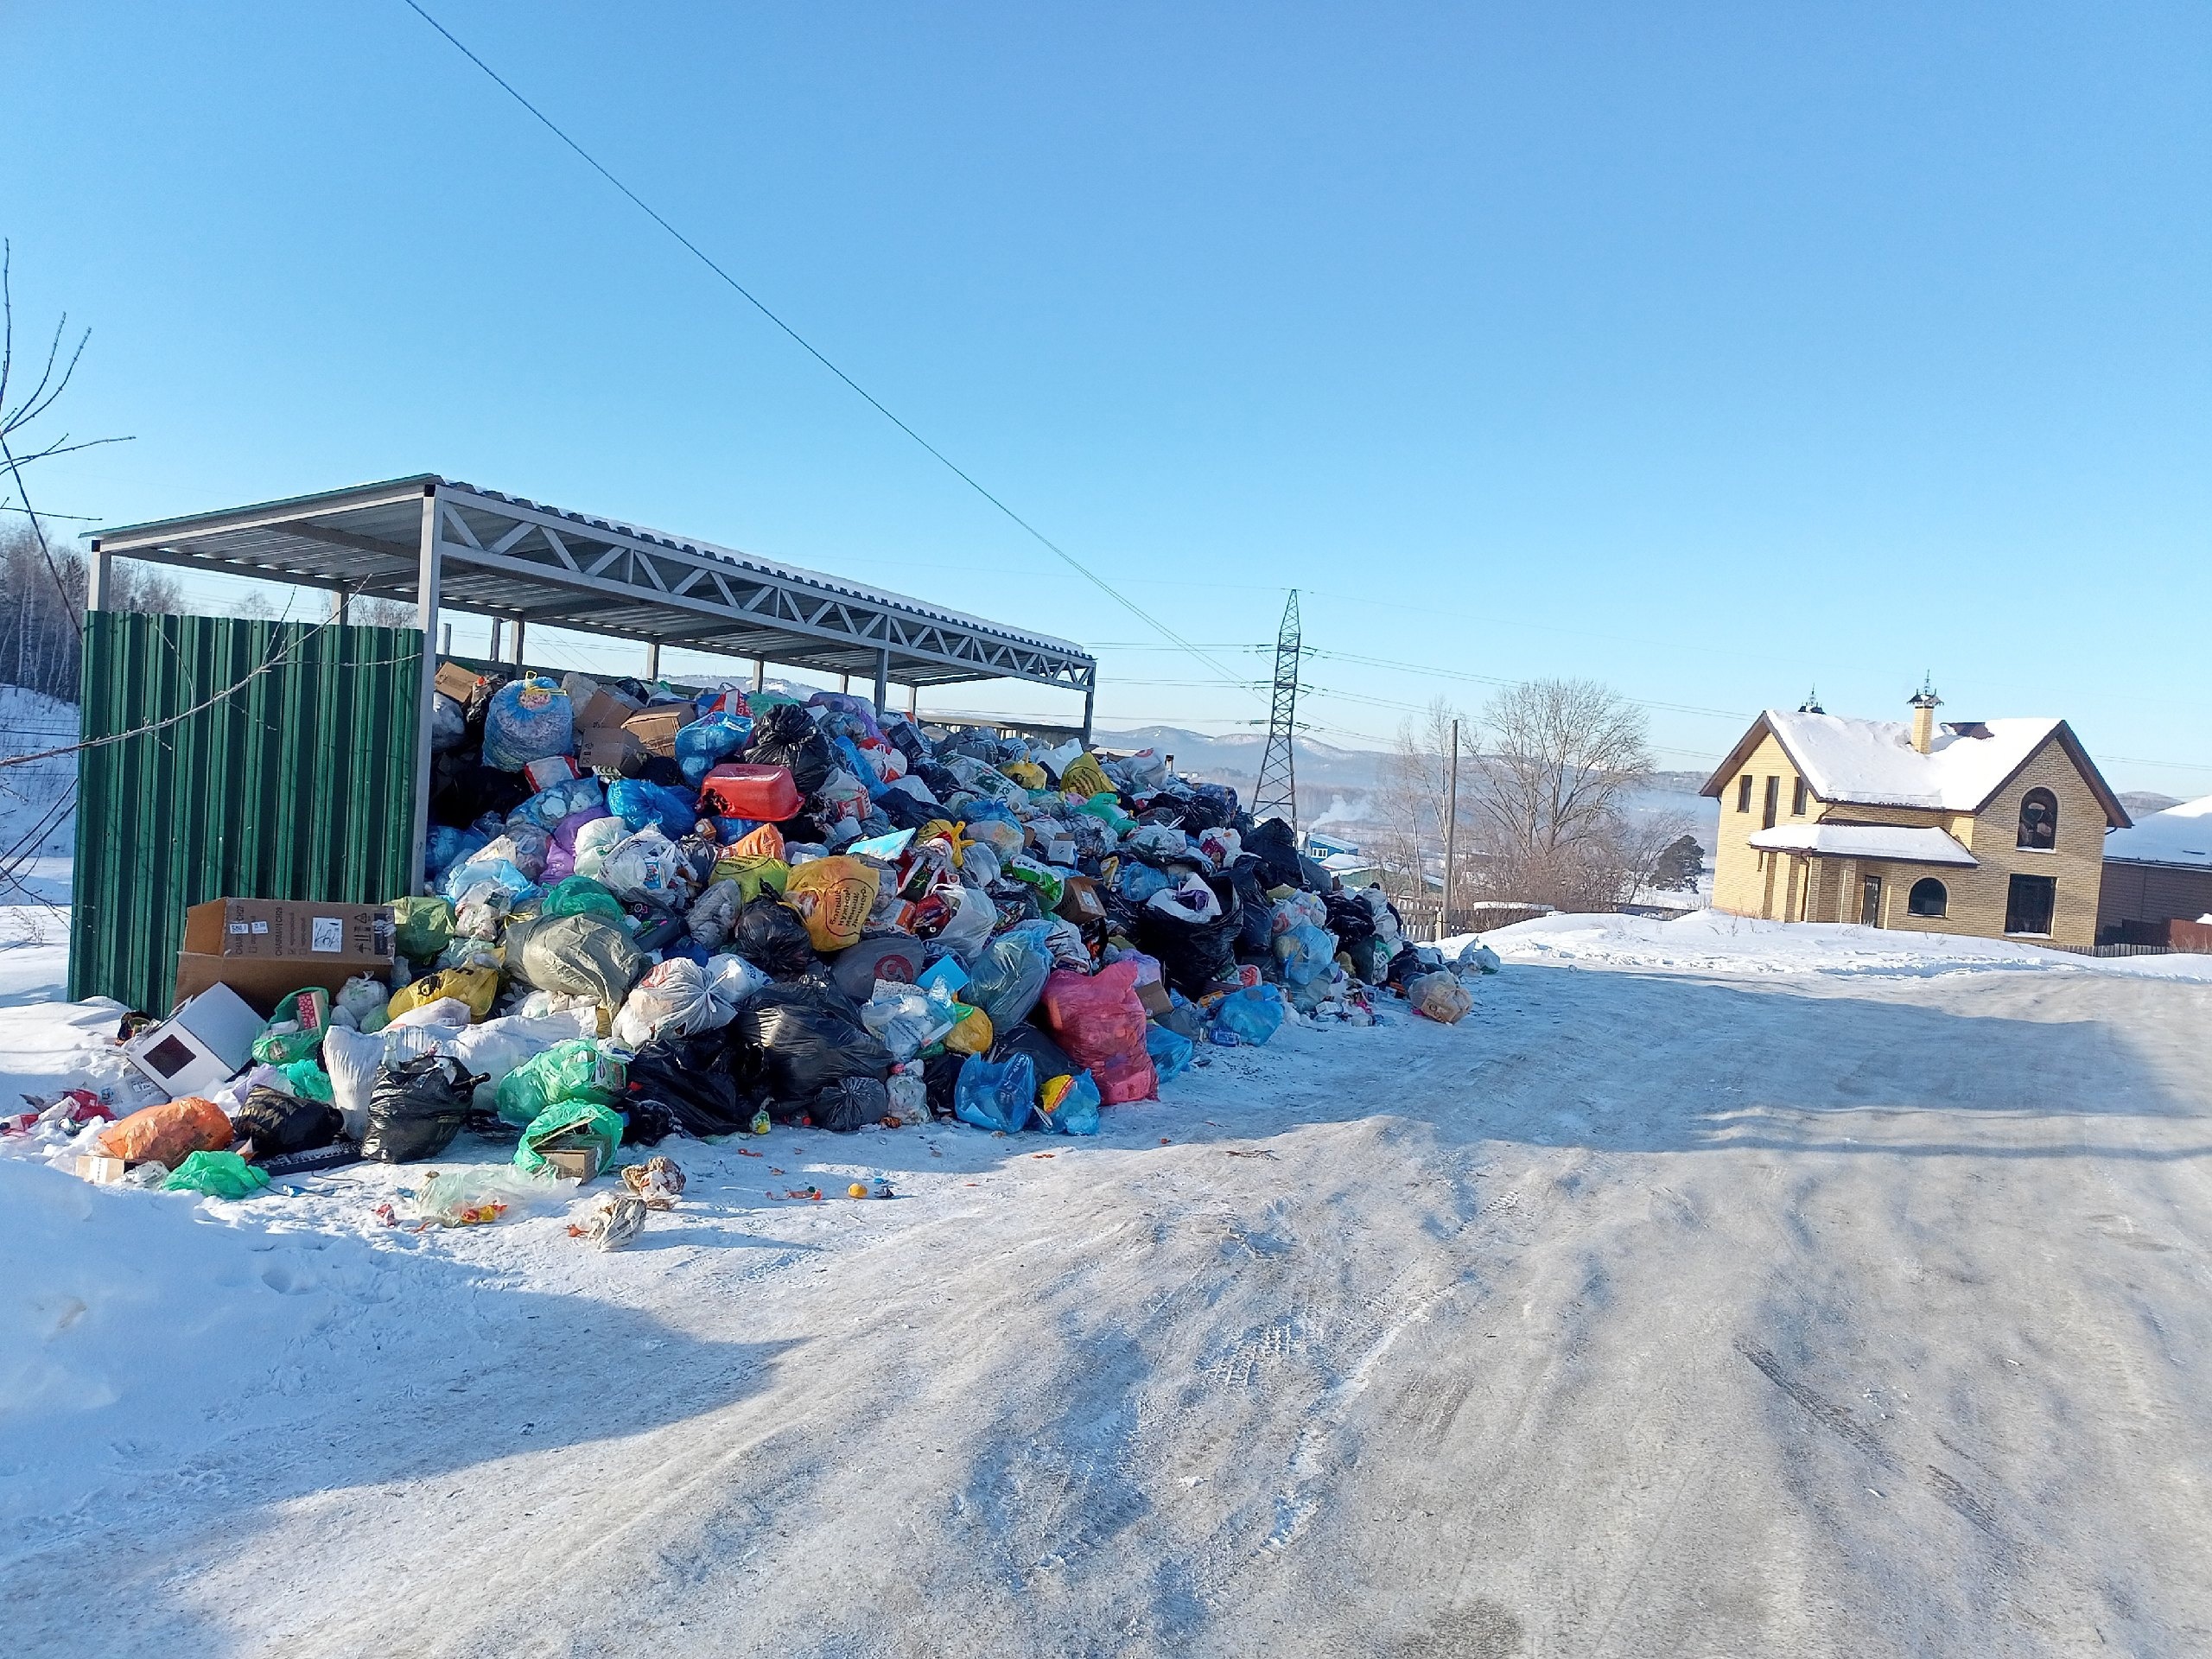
{"points": [[1853, 762]]}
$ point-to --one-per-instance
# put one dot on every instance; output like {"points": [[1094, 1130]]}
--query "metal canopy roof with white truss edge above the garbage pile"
{"points": [[514, 559]]}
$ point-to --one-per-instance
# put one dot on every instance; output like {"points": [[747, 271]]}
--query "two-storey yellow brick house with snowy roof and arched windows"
{"points": [[1987, 828]]}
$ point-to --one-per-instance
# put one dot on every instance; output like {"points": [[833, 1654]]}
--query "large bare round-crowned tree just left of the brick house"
{"points": [[1561, 760]]}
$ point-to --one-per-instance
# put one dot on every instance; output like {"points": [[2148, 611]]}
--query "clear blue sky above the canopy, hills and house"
{"points": [[1707, 351]]}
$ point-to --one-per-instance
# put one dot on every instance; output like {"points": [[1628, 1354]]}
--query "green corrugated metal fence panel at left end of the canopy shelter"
{"points": [[295, 786]]}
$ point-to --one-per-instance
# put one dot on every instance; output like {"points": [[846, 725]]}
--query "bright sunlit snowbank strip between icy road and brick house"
{"points": [[1720, 943]]}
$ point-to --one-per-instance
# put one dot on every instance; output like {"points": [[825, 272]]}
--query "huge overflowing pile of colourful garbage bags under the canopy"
{"points": [[758, 910]]}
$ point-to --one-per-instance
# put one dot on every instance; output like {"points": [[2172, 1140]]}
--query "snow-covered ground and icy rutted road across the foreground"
{"points": [[1713, 1288]]}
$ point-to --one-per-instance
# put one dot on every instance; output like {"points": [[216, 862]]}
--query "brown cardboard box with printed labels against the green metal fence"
{"points": [[269, 948]]}
